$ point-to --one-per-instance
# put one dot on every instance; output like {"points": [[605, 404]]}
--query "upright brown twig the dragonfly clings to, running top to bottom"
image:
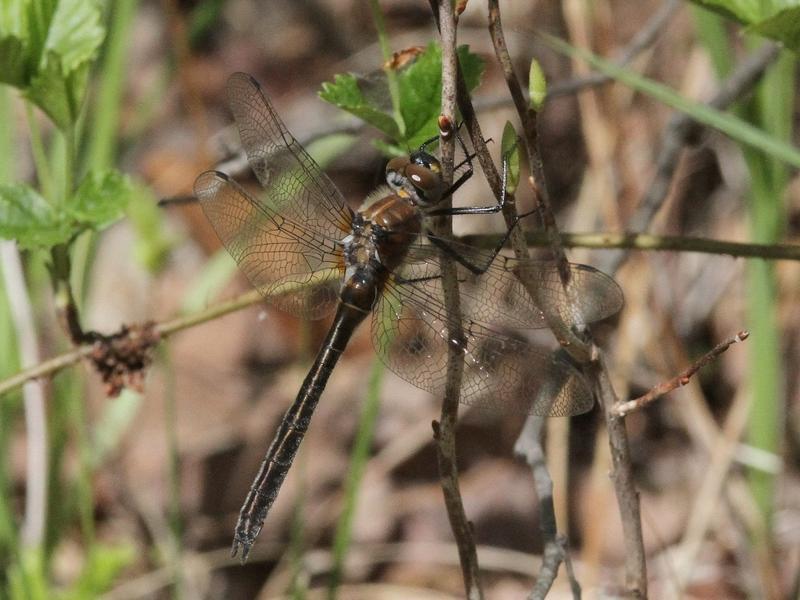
{"points": [[444, 431]]}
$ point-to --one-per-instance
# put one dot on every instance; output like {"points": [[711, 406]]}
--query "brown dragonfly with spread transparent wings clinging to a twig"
{"points": [[309, 253]]}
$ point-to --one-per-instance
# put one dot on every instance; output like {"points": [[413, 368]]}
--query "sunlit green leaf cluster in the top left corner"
{"points": [[46, 49]]}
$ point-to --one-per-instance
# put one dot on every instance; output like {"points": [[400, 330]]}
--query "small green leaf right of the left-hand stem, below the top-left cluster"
{"points": [[100, 199]]}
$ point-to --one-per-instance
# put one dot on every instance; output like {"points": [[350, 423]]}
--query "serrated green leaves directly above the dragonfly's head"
{"points": [[420, 88]]}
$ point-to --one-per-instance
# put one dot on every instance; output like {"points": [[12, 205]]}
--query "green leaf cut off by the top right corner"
{"points": [[775, 19]]}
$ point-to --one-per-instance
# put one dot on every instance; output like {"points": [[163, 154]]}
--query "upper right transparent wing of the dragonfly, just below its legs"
{"points": [[499, 295]]}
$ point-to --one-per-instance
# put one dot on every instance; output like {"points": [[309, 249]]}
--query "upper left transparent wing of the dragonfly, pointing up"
{"points": [[295, 186]]}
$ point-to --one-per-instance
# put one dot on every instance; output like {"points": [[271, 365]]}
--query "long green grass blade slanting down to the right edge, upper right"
{"points": [[732, 126]]}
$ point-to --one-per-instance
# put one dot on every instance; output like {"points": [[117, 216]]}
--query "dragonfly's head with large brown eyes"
{"points": [[418, 176]]}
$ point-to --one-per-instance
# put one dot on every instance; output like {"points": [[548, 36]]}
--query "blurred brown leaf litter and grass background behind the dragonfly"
{"points": [[143, 490]]}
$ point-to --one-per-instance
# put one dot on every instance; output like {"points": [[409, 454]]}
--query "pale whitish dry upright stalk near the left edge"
{"points": [[33, 398]]}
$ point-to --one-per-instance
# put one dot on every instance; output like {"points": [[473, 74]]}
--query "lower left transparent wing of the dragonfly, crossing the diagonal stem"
{"points": [[295, 267]]}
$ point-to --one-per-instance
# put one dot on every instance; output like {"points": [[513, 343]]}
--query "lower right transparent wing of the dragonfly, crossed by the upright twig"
{"points": [[501, 373]]}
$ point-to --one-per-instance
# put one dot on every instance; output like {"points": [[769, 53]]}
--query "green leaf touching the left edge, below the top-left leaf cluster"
{"points": [[28, 218]]}
